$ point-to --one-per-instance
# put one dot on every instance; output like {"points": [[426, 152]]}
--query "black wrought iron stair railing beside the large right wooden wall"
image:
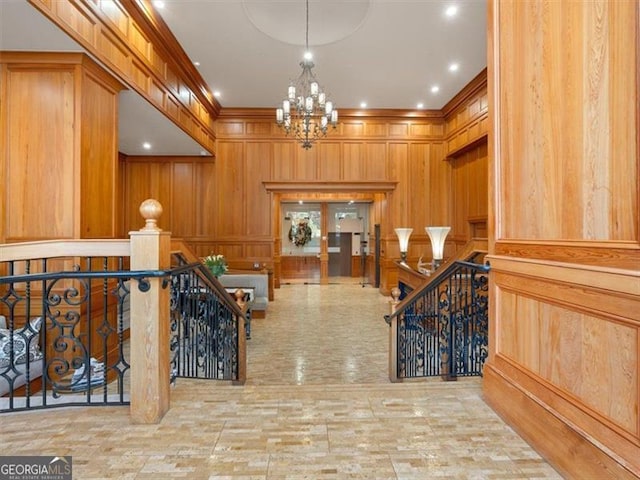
{"points": [[442, 328]]}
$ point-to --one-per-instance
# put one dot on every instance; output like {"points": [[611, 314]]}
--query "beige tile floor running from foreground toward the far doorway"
{"points": [[317, 405]]}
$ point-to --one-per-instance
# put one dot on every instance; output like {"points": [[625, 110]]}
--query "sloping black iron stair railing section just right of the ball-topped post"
{"points": [[207, 326]]}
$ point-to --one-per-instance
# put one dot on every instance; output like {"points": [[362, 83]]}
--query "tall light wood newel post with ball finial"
{"points": [[150, 250]]}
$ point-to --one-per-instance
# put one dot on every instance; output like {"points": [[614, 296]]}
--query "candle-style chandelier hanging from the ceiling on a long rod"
{"points": [[306, 113]]}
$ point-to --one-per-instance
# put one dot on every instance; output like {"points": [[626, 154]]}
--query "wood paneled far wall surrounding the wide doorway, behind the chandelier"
{"points": [[399, 148]]}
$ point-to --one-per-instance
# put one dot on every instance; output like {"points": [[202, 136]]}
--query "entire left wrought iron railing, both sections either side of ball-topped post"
{"points": [[64, 341]]}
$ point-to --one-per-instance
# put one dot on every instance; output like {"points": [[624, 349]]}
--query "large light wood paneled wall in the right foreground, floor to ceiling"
{"points": [[564, 234]]}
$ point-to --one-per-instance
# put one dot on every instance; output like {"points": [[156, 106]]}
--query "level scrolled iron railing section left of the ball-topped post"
{"points": [[63, 342]]}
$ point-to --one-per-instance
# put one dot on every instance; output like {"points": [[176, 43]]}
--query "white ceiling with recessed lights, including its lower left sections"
{"points": [[387, 53]]}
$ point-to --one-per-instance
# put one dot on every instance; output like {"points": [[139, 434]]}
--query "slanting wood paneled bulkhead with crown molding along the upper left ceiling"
{"points": [[138, 47]]}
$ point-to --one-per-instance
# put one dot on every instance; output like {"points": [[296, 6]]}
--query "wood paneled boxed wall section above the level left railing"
{"points": [[58, 126]]}
